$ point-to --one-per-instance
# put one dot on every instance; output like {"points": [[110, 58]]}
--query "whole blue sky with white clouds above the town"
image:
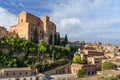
{"points": [[81, 20]]}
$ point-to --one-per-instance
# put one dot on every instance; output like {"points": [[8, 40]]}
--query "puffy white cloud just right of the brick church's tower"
{"points": [[70, 24]]}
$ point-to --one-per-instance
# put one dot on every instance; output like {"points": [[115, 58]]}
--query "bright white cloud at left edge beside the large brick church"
{"points": [[7, 19]]}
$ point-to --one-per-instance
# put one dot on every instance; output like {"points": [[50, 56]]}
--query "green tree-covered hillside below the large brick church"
{"points": [[16, 52]]}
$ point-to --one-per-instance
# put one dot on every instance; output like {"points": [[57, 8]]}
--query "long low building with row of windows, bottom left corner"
{"points": [[17, 72]]}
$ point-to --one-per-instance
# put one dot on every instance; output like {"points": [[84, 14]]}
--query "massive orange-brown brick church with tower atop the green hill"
{"points": [[30, 27]]}
